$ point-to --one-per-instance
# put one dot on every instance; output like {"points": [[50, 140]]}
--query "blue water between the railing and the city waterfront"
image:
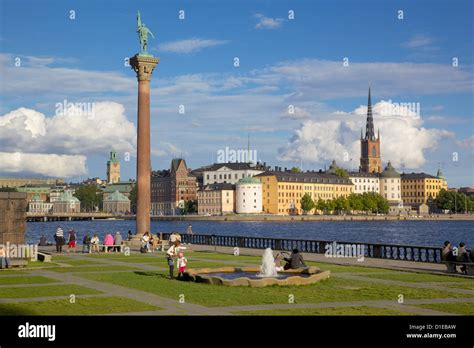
{"points": [[423, 233]]}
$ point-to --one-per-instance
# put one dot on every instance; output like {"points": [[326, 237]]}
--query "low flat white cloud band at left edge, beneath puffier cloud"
{"points": [[44, 164]]}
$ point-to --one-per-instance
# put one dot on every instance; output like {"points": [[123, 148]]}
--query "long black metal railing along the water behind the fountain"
{"points": [[372, 250]]}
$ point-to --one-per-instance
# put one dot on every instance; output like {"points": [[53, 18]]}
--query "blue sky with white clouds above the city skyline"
{"points": [[282, 62]]}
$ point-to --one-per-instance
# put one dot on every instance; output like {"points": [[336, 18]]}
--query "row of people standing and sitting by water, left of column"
{"points": [[89, 244]]}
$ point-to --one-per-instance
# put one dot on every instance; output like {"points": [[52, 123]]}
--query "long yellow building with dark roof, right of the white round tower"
{"points": [[282, 191]]}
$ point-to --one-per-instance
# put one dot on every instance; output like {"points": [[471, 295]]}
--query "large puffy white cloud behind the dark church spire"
{"points": [[404, 140]]}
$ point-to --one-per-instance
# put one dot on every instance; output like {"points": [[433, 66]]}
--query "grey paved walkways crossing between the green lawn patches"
{"points": [[171, 306]]}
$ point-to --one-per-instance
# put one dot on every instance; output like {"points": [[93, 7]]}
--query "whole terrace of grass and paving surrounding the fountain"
{"points": [[138, 284]]}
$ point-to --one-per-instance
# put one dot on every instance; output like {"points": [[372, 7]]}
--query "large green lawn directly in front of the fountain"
{"points": [[333, 289]]}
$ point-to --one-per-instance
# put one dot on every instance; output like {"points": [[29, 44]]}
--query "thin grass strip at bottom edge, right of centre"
{"points": [[356, 310]]}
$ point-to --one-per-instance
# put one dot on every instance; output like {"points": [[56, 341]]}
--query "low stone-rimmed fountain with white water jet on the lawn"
{"points": [[264, 275]]}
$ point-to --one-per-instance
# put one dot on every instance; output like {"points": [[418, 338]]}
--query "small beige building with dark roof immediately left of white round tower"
{"points": [[216, 199]]}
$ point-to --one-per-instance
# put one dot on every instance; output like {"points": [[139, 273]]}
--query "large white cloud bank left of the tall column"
{"points": [[45, 144]]}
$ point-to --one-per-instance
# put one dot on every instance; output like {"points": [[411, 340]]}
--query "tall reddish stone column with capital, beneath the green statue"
{"points": [[143, 66]]}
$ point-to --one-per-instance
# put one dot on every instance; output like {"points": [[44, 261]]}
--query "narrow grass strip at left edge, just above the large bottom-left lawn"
{"points": [[44, 291]]}
